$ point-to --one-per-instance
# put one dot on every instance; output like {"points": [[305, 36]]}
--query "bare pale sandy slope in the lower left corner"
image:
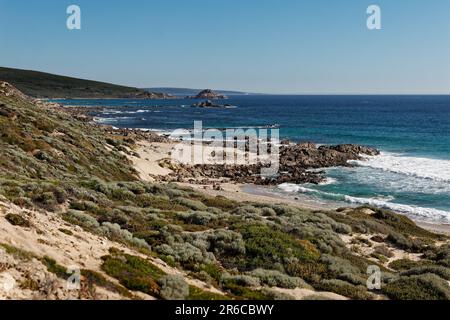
{"points": [[81, 250]]}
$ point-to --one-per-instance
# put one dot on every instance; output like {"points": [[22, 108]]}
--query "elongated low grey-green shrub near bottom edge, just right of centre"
{"points": [[274, 278]]}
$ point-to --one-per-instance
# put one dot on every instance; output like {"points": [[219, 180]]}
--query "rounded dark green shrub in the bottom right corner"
{"points": [[420, 287]]}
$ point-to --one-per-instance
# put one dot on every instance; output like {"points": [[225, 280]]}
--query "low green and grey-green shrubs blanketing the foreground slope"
{"points": [[52, 162]]}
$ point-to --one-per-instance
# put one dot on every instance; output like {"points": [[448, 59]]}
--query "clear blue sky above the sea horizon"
{"points": [[270, 46]]}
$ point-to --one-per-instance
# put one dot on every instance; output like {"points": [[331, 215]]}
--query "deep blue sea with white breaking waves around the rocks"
{"points": [[411, 176]]}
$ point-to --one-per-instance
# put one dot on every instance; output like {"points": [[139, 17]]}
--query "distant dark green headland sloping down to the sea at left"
{"points": [[44, 85]]}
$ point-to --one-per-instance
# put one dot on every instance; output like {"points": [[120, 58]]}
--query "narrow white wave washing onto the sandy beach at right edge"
{"points": [[426, 213]]}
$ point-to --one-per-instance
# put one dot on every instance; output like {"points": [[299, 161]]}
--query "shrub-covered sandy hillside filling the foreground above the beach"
{"points": [[70, 196]]}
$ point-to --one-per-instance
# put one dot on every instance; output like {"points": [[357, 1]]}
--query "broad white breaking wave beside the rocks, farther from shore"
{"points": [[424, 168]]}
